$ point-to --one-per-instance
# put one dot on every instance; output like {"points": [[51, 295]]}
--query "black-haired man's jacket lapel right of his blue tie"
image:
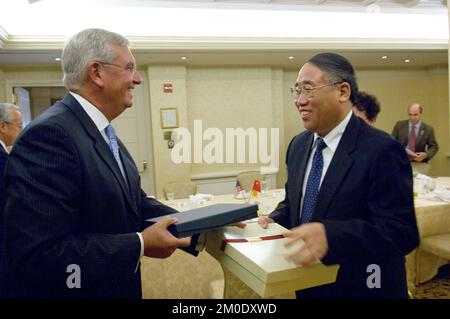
{"points": [[338, 169]]}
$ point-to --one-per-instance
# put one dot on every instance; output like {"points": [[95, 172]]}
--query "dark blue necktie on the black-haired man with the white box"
{"points": [[312, 185]]}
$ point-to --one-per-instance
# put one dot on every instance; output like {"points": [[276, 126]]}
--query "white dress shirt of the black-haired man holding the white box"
{"points": [[332, 140]]}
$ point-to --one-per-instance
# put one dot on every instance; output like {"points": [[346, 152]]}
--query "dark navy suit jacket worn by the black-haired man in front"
{"points": [[366, 205]]}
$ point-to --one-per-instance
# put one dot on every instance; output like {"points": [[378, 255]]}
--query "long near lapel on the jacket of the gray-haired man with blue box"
{"points": [[100, 144]]}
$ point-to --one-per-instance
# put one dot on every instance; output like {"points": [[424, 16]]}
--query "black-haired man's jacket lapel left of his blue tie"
{"points": [[302, 157]]}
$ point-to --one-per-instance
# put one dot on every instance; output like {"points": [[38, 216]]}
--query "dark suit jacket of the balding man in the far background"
{"points": [[425, 141]]}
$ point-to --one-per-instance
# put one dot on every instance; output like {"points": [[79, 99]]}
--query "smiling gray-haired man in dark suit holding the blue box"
{"points": [[75, 209]]}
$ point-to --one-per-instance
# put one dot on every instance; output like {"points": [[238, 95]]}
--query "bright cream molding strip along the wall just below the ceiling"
{"points": [[233, 43]]}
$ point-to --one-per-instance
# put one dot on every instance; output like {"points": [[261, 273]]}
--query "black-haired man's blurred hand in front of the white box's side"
{"points": [[316, 243]]}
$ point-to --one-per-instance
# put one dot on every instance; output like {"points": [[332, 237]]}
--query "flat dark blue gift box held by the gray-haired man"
{"points": [[200, 220]]}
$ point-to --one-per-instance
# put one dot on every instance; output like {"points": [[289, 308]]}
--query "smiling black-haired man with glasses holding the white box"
{"points": [[348, 191]]}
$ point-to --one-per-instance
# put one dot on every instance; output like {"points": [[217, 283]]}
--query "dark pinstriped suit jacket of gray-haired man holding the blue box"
{"points": [[67, 203]]}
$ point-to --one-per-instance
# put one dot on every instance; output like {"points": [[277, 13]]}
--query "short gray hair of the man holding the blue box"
{"points": [[84, 47]]}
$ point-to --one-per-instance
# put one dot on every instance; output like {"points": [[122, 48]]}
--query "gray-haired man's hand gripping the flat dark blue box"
{"points": [[159, 242]]}
